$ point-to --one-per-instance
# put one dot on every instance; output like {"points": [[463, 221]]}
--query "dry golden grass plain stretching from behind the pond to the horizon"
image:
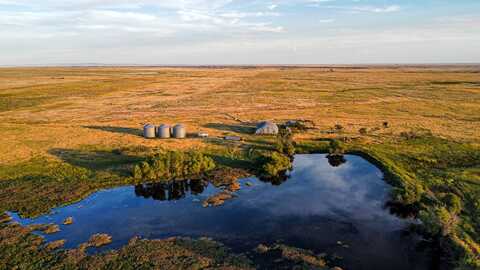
{"points": [[71, 107]]}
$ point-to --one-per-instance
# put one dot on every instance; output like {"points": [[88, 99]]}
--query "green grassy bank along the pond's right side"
{"points": [[429, 170]]}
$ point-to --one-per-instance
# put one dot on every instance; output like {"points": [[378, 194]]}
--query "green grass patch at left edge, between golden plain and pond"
{"points": [[42, 184]]}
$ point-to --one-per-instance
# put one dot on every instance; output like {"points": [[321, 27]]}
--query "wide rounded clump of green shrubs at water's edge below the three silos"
{"points": [[173, 165]]}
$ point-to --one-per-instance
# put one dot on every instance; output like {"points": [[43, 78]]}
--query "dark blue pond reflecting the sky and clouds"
{"points": [[327, 206]]}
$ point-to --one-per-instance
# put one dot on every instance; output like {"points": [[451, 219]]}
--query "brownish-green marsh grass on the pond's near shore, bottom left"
{"points": [[23, 250]]}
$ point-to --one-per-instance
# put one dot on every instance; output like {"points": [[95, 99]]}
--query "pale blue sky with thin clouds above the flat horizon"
{"points": [[238, 32]]}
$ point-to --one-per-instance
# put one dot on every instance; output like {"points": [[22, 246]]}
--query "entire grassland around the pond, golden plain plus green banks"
{"points": [[67, 132]]}
